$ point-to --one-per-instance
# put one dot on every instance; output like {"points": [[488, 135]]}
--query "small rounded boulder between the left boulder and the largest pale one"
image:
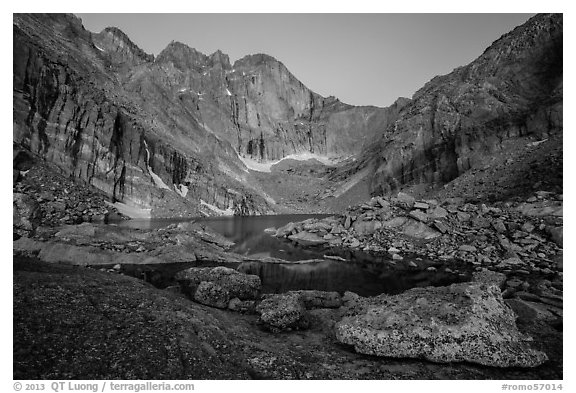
{"points": [[283, 312]]}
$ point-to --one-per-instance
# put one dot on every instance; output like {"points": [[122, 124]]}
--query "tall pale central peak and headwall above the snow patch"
{"points": [[259, 107]]}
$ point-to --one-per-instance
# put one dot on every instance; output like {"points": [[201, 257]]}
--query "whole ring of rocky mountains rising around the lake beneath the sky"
{"points": [[178, 134]]}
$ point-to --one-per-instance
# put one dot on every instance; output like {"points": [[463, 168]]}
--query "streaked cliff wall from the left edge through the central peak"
{"points": [[169, 134]]}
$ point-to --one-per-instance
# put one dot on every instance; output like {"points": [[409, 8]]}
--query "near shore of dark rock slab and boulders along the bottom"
{"points": [[74, 322]]}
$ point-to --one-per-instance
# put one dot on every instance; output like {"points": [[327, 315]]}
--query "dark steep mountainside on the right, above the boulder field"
{"points": [[455, 121]]}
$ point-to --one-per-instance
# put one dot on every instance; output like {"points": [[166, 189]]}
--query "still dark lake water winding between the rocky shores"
{"points": [[362, 273]]}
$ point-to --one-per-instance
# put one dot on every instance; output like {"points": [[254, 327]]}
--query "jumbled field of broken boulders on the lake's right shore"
{"points": [[521, 239]]}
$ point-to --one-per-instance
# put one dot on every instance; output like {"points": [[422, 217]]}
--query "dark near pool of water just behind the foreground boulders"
{"points": [[365, 280]]}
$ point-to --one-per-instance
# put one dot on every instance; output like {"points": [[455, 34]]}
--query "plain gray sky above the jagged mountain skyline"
{"points": [[363, 59]]}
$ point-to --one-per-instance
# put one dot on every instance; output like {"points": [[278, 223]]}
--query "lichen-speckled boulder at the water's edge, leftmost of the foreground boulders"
{"points": [[240, 285]]}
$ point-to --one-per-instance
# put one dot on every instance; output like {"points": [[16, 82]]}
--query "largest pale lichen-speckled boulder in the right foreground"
{"points": [[466, 322]]}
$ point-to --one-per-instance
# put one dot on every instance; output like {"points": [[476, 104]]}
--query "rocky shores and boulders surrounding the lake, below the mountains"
{"points": [[214, 322]]}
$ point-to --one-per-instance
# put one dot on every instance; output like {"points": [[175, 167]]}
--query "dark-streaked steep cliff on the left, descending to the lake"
{"points": [[71, 109]]}
